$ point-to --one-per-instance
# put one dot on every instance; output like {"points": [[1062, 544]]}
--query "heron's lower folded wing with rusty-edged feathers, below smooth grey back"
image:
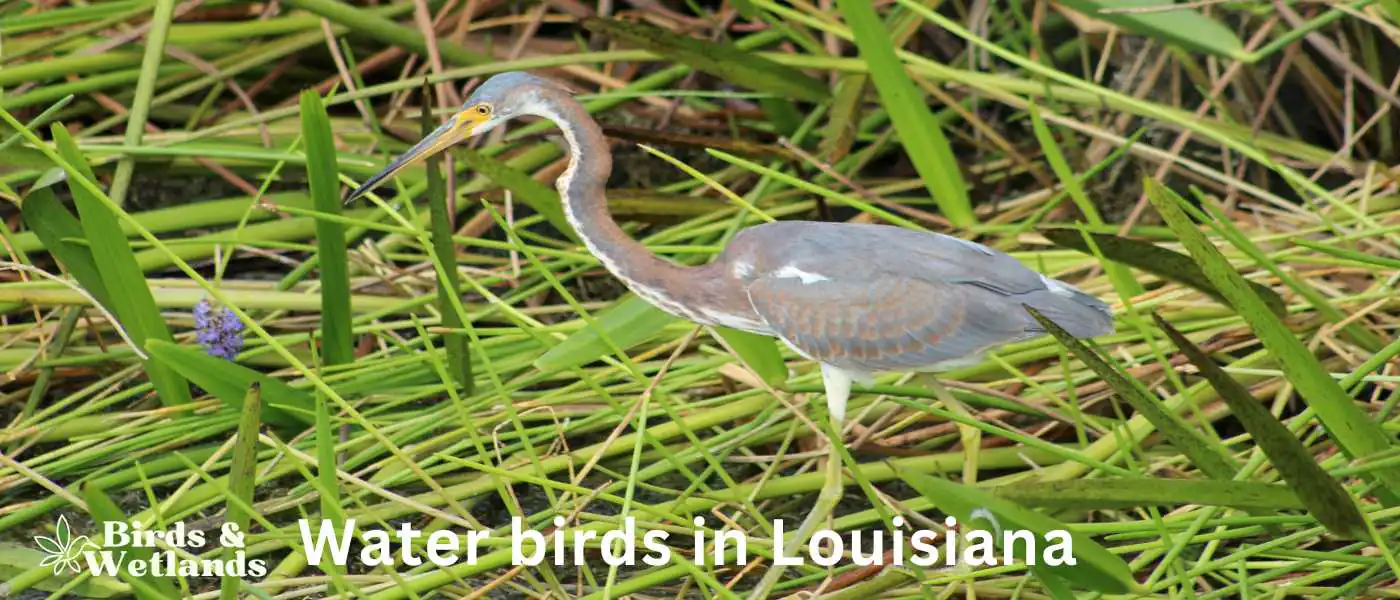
{"points": [[887, 322]]}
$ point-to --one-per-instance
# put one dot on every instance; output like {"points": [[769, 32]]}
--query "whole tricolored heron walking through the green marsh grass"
{"points": [[859, 300]]}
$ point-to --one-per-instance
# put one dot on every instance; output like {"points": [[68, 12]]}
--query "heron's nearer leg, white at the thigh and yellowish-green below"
{"points": [[838, 392]]}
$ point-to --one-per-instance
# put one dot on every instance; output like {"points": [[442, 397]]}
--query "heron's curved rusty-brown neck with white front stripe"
{"points": [[684, 292]]}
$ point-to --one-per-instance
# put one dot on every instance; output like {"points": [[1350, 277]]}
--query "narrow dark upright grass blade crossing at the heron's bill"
{"points": [[440, 220]]}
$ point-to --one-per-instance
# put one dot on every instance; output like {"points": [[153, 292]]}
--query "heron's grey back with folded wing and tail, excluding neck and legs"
{"points": [[884, 299]]}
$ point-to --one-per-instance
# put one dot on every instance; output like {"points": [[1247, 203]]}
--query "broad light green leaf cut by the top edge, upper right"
{"points": [[1184, 27]]}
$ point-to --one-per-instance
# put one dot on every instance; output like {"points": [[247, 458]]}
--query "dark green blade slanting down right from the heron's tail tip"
{"points": [[1203, 454]]}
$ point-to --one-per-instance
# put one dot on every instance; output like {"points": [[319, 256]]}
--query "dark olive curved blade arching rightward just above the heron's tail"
{"points": [[1157, 261]]}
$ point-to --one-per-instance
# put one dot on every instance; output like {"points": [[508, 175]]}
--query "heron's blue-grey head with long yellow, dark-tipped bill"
{"points": [[496, 101]]}
